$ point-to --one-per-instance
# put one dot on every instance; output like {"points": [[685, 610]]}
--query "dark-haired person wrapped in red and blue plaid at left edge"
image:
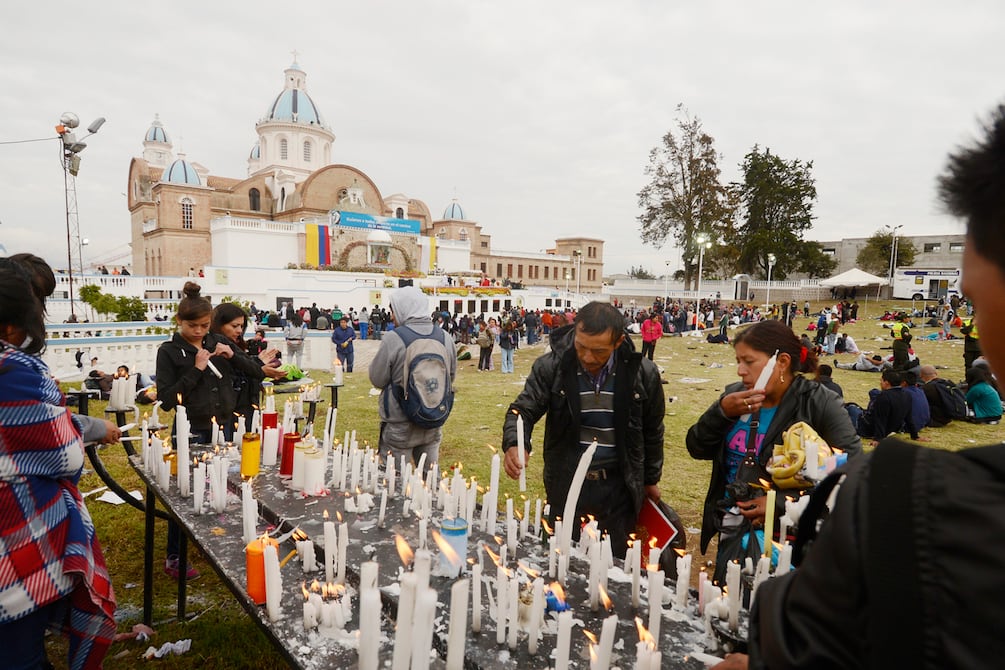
{"points": [[53, 573]]}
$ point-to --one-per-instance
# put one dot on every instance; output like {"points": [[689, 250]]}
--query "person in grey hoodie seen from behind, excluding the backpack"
{"points": [[411, 310]]}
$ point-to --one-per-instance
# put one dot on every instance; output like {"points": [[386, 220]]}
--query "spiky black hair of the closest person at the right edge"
{"points": [[973, 188]]}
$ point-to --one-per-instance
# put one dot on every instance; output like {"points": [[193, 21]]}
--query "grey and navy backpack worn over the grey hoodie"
{"points": [[426, 395]]}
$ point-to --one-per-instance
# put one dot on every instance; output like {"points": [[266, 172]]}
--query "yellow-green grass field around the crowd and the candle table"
{"points": [[224, 637]]}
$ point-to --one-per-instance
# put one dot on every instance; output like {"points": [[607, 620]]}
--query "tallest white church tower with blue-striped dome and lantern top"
{"points": [[294, 140]]}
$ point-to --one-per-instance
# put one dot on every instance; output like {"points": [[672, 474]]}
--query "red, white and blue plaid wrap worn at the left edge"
{"points": [[49, 550]]}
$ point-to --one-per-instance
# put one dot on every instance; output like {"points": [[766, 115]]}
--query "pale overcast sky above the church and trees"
{"points": [[538, 117]]}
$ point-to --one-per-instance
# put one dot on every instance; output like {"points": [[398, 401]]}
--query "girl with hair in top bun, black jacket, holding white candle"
{"points": [[187, 376]]}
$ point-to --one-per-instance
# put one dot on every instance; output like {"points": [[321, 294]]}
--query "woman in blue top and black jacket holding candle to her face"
{"points": [[766, 408]]}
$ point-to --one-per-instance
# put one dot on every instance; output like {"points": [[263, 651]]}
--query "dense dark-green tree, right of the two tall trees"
{"points": [[777, 198]]}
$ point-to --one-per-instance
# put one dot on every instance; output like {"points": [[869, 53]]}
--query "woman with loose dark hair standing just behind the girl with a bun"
{"points": [[231, 321]]}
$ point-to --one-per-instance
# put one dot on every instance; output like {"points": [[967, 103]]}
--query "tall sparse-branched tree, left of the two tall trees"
{"points": [[685, 197]]}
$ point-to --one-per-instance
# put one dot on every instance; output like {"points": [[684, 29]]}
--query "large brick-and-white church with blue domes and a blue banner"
{"points": [[296, 208]]}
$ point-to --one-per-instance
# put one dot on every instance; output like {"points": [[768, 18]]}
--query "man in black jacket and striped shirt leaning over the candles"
{"points": [[593, 385]]}
